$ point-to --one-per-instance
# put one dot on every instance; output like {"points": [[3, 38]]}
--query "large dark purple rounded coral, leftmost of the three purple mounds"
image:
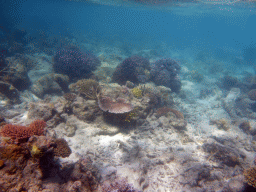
{"points": [[75, 63]]}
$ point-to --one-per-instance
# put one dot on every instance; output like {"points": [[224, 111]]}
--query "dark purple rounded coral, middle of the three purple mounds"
{"points": [[134, 69]]}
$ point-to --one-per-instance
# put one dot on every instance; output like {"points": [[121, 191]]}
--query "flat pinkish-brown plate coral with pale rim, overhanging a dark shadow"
{"points": [[117, 107]]}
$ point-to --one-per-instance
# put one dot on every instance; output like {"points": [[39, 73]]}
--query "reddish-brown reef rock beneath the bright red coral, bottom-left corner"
{"points": [[27, 166]]}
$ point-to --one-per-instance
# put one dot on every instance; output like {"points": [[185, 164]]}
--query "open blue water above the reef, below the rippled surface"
{"points": [[228, 28]]}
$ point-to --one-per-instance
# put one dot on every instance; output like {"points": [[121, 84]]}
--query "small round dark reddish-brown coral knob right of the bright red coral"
{"points": [[62, 149]]}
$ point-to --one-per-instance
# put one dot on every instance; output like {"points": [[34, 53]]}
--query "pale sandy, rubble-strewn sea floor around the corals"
{"points": [[199, 144]]}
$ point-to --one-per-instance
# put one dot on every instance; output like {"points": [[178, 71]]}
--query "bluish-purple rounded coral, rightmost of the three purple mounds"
{"points": [[166, 72]]}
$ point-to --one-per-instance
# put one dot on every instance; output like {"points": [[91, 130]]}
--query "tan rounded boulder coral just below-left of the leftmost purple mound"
{"points": [[50, 84]]}
